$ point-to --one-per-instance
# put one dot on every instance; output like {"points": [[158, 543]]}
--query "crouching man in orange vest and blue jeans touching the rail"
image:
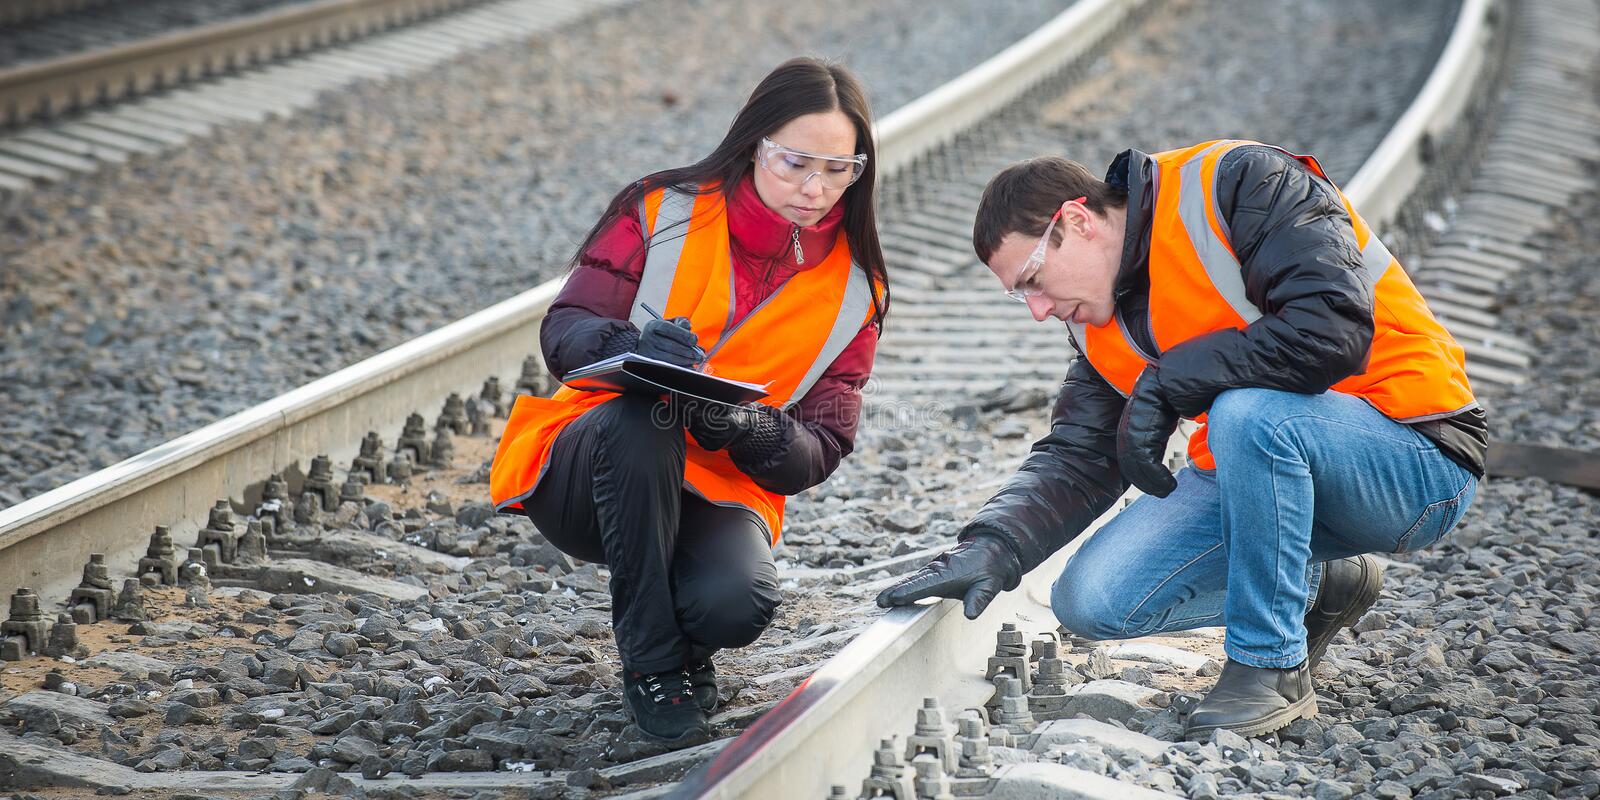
{"points": [[1233, 284]]}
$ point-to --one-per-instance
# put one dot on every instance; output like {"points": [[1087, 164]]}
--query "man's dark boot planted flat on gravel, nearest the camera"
{"points": [[1254, 702]]}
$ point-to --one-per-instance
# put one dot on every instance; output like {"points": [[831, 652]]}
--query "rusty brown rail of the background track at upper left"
{"points": [[65, 84]]}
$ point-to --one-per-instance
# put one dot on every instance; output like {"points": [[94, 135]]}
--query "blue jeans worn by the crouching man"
{"points": [[1300, 481]]}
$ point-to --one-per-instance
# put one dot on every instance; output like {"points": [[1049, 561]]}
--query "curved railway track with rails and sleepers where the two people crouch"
{"points": [[870, 689]]}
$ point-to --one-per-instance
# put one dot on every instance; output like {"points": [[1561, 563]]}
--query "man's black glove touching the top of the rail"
{"points": [[974, 572]]}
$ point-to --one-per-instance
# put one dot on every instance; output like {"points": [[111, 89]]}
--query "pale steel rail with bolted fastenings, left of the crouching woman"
{"points": [[116, 510]]}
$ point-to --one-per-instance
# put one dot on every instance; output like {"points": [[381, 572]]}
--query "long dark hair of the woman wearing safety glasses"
{"points": [[798, 87]]}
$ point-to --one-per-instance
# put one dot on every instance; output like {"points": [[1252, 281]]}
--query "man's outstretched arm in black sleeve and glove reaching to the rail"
{"points": [[1068, 481]]}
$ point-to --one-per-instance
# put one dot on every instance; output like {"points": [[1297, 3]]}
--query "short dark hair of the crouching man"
{"points": [[1025, 196]]}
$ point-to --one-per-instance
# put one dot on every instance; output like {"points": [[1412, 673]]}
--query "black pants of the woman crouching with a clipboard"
{"points": [[687, 577]]}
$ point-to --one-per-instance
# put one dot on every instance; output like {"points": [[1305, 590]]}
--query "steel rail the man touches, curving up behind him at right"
{"points": [[838, 716]]}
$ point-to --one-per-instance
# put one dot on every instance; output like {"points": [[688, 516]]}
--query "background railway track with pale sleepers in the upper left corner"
{"points": [[73, 114]]}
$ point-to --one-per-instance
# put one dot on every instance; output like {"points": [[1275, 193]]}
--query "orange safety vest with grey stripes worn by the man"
{"points": [[1415, 369]]}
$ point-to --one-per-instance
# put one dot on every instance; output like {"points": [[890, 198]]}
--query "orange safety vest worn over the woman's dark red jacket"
{"points": [[790, 340]]}
